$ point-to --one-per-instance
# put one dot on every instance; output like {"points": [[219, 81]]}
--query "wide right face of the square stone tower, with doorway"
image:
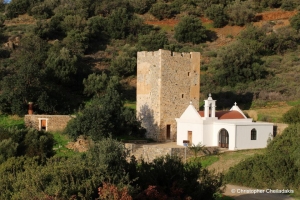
{"points": [[180, 84]]}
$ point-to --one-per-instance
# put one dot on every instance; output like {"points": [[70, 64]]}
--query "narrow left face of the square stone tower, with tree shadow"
{"points": [[148, 91]]}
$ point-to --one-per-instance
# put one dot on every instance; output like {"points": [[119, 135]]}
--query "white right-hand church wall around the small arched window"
{"points": [[244, 135]]}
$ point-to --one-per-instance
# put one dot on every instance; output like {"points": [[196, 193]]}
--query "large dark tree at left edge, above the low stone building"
{"points": [[24, 84]]}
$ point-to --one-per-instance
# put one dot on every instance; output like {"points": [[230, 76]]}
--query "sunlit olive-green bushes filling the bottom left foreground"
{"points": [[64, 178]]}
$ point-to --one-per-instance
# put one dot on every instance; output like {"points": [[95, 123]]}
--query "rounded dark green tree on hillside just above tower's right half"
{"points": [[190, 29]]}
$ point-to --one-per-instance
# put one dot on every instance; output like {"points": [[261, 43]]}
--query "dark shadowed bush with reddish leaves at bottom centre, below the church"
{"points": [[168, 176]]}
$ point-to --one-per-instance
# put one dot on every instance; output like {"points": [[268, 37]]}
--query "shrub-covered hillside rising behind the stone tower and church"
{"points": [[48, 59]]}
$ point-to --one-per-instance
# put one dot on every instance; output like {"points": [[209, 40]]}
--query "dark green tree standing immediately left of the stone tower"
{"points": [[105, 115]]}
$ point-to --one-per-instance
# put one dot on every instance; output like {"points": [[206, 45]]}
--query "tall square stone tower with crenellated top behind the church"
{"points": [[166, 83]]}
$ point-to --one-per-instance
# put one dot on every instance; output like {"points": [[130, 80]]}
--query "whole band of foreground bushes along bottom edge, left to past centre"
{"points": [[106, 163]]}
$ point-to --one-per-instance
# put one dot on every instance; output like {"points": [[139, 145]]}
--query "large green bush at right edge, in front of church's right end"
{"points": [[277, 168]]}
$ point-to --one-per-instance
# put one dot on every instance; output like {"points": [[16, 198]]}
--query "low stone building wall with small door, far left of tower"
{"points": [[53, 122]]}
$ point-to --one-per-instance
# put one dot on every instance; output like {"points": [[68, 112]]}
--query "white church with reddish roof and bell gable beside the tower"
{"points": [[226, 129]]}
